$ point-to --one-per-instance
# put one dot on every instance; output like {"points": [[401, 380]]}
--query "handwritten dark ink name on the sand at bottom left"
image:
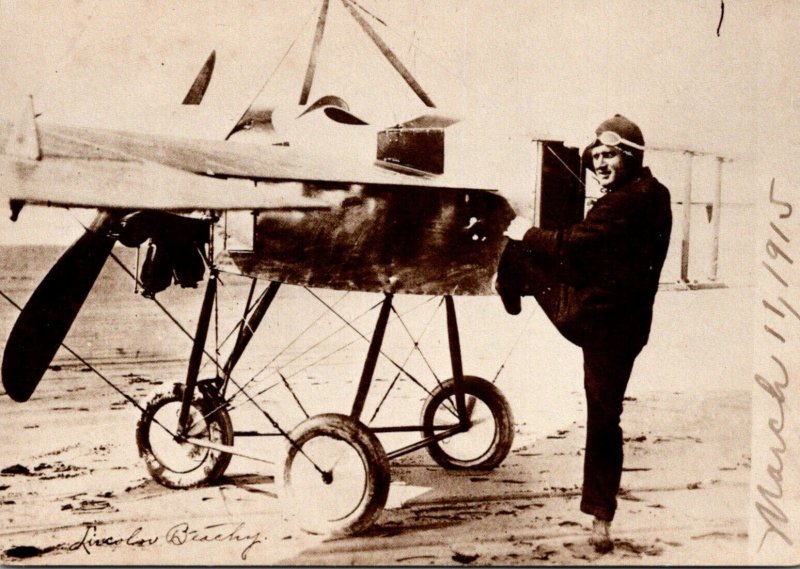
{"points": [[181, 534]]}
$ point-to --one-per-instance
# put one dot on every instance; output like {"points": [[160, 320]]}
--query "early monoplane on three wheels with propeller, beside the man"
{"points": [[421, 211]]}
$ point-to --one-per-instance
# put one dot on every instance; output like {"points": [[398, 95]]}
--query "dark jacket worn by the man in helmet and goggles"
{"points": [[611, 261]]}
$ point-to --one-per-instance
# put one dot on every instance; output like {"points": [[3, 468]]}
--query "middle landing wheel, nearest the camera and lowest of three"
{"points": [[337, 475]]}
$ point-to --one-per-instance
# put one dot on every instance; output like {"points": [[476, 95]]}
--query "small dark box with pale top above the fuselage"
{"points": [[415, 145]]}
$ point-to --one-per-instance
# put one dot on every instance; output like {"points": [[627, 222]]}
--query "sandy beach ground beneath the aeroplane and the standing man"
{"points": [[73, 489]]}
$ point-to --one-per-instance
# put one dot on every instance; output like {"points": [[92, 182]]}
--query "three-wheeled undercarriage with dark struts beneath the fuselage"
{"points": [[336, 470]]}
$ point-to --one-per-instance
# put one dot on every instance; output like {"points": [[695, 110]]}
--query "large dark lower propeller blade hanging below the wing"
{"points": [[47, 317]]}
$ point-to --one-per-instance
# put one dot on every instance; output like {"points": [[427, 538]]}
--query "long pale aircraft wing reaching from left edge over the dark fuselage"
{"points": [[88, 167]]}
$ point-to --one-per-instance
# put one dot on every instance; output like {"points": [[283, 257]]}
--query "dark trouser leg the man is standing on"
{"points": [[606, 374]]}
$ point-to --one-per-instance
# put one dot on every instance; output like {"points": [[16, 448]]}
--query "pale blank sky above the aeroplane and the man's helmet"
{"points": [[554, 69]]}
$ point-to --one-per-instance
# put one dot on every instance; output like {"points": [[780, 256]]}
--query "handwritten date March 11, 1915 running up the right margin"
{"points": [[769, 501]]}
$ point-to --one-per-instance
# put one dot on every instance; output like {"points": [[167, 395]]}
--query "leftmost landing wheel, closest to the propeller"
{"points": [[177, 464]]}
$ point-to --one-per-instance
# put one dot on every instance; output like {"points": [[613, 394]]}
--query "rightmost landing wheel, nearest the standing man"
{"points": [[488, 440]]}
